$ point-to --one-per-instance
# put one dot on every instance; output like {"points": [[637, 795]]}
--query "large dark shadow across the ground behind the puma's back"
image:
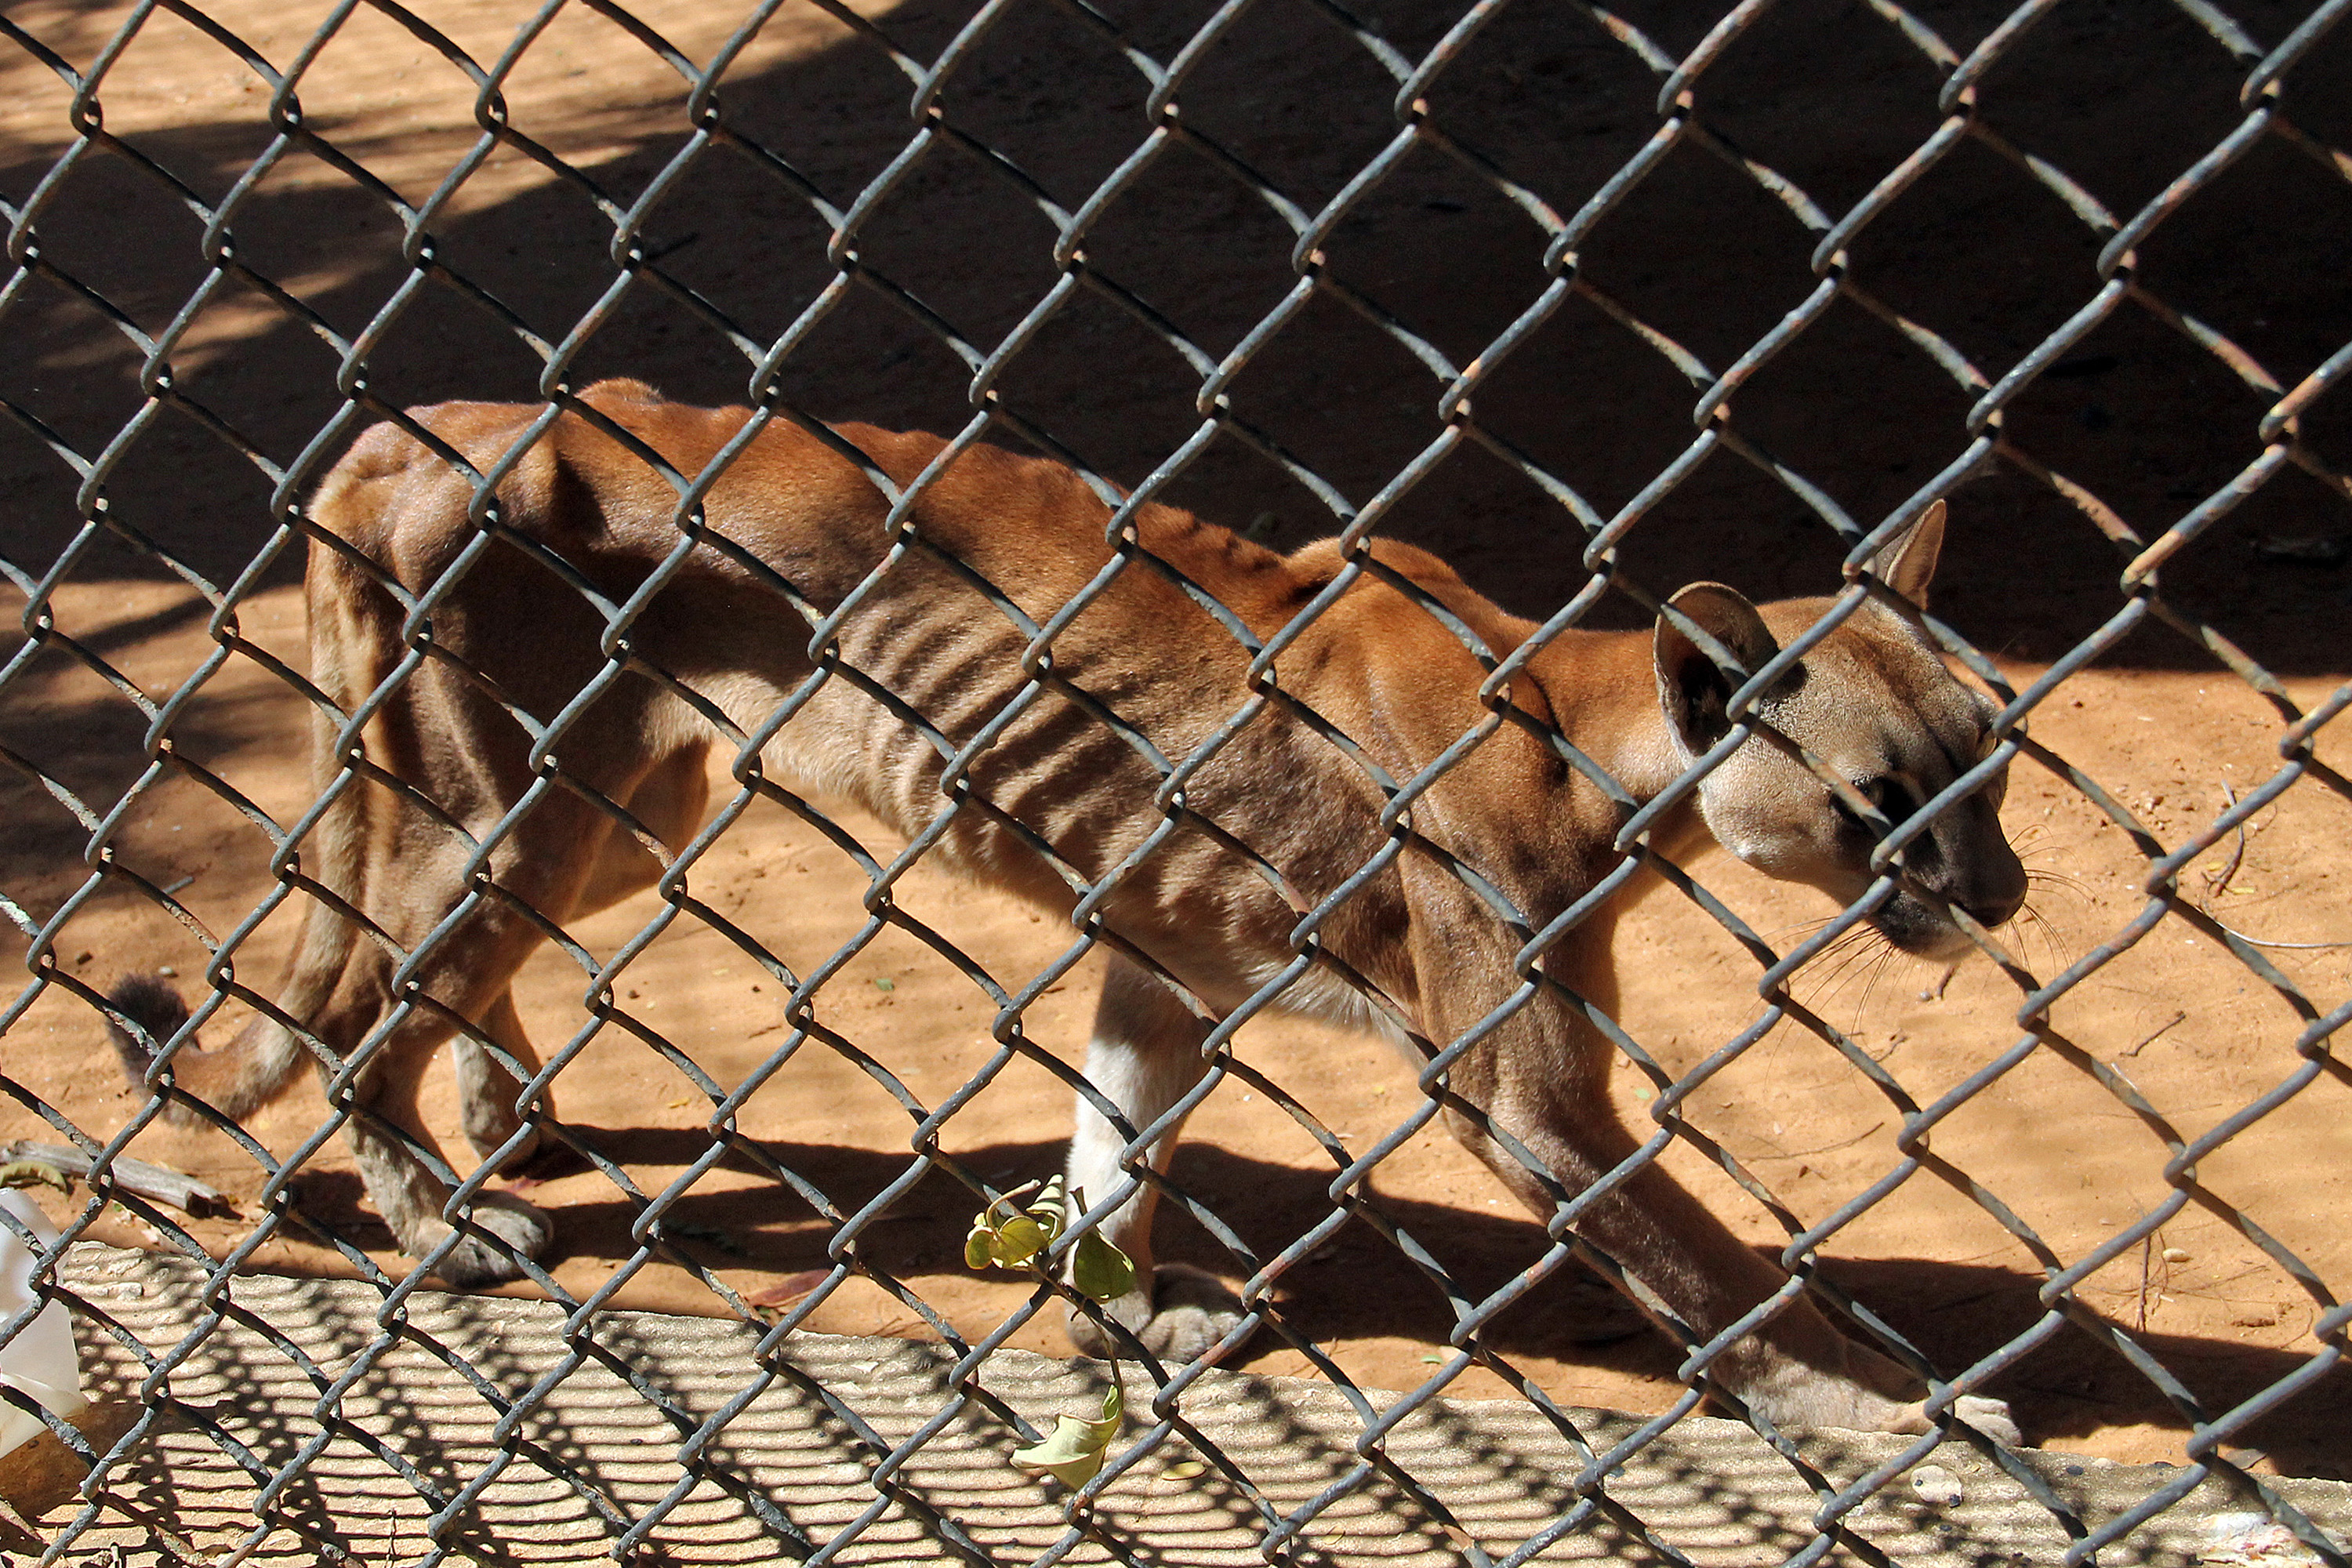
{"points": [[1979, 253]]}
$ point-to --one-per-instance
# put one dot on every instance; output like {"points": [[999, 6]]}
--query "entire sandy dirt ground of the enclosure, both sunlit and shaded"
{"points": [[2165, 730]]}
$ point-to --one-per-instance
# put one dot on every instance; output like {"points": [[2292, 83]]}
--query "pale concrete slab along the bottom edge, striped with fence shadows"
{"points": [[486, 1426]]}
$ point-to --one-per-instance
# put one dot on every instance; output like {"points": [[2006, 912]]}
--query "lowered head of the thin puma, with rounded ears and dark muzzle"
{"points": [[1873, 702]]}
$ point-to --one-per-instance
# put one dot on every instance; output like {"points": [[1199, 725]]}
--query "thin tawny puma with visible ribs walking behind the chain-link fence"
{"points": [[1278, 808]]}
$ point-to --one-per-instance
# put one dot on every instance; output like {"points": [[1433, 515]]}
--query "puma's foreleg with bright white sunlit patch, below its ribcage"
{"points": [[1144, 1059]]}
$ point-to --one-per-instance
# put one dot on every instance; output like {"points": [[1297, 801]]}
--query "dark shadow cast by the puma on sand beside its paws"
{"points": [[1363, 1287]]}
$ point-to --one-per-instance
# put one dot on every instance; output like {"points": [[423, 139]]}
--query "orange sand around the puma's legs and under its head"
{"points": [[2174, 1017]]}
